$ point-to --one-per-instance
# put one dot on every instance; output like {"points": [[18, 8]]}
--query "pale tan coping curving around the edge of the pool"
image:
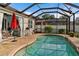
{"points": [[66, 36]]}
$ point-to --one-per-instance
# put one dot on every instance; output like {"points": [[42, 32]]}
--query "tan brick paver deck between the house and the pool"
{"points": [[7, 47]]}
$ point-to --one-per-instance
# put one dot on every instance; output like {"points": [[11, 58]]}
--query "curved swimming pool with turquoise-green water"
{"points": [[49, 45]]}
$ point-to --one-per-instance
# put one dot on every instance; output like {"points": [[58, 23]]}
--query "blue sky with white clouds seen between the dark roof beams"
{"points": [[22, 6]]}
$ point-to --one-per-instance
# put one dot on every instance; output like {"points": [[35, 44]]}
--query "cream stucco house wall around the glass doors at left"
{"points": [[22, 19]]}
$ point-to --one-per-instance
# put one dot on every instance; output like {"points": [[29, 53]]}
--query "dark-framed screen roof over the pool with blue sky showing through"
{"points": [[35, 9]]}
